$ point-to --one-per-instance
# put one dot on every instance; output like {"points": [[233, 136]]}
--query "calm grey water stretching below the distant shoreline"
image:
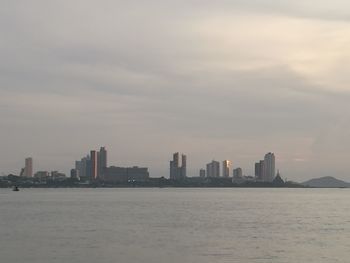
{"points": [[175, 225]]}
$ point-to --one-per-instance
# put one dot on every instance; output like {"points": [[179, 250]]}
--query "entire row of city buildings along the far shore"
{"points": [[94, 168]]}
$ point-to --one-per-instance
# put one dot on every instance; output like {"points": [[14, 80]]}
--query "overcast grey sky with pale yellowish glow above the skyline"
{"points": [[212, 79]]}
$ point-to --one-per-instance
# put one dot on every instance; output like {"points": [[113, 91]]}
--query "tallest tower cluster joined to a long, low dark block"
{"points": [[93, 167]]}
